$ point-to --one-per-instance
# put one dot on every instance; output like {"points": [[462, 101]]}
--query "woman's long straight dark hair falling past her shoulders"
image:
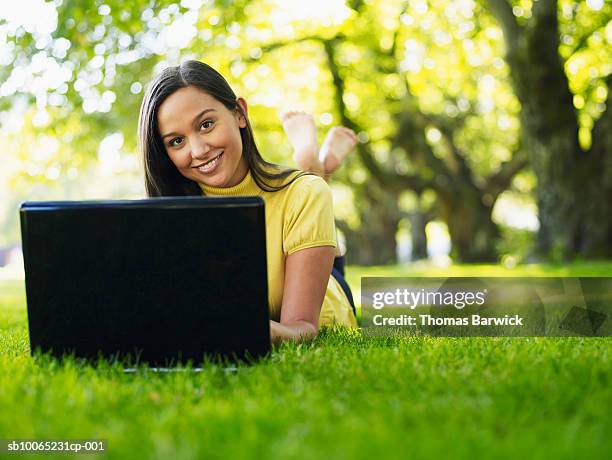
{"points": [[162, 178]]}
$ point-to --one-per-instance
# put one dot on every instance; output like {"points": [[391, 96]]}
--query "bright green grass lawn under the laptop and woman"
{"points": [[342, 396]]}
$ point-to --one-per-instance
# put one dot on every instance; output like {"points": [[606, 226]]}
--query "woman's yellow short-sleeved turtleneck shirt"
{"points": [[299, 216]]}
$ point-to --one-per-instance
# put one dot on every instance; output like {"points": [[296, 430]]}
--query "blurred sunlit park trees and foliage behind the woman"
{"points": [[484, 126]]}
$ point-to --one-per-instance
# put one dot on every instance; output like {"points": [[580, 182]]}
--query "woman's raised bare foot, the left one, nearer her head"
{"points": [[302, 134]]}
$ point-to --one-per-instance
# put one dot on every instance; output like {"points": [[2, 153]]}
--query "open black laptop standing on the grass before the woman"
{"points": [[160, 281]]}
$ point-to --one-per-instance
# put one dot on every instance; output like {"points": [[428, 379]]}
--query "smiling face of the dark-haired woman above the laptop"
{"points": [[202, 137]]}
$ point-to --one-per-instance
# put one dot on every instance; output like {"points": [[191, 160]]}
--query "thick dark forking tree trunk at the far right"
{"points": [[574, 191]]}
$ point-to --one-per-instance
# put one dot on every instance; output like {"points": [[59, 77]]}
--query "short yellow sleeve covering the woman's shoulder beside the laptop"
{"points": [[309, 216]]}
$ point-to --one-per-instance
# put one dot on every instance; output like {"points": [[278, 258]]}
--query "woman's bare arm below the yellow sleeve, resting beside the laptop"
{"points": [[306, 276]]}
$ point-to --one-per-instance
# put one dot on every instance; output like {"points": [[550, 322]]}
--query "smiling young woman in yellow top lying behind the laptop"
{"points": [[196, 139]]}
